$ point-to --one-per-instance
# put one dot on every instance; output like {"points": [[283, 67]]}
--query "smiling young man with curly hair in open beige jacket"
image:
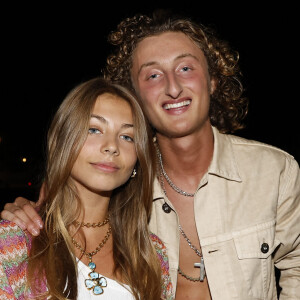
{"points": [[227, 208]]}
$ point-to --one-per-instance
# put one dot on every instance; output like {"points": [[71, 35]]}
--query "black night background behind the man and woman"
{"points": [[48, 49]]}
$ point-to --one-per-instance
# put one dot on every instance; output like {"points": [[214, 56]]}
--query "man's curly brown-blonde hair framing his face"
{"points": [[228, 107]]}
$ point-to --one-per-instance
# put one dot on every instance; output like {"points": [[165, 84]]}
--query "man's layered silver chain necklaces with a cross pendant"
{"points": [[162, 175]]}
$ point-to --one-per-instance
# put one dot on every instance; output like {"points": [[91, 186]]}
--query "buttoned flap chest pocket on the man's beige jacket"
{"points": [[254, 247]]}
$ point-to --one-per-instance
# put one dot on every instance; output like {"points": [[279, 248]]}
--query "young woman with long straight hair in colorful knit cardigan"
{"points": [[98, 198]]}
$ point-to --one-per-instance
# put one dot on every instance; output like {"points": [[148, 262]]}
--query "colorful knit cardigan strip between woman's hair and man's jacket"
{"points": [[161, 251]]}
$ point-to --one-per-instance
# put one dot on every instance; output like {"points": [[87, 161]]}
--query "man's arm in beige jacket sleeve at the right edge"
{"points": [[287, 257]]}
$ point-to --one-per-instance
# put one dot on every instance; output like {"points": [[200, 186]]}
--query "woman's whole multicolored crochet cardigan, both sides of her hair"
{"points": [[15, 245]]}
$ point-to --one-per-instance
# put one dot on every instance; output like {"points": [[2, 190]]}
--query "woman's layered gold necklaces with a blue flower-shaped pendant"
{"points": [[95, 282]]}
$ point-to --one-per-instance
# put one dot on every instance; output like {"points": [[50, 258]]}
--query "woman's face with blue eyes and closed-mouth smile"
{"points": [[108, 156]]}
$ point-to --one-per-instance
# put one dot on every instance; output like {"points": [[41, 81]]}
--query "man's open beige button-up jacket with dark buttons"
{"points": [[250, 196]]}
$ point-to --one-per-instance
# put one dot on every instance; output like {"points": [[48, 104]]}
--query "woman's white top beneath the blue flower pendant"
{"points": [[113, 290]]}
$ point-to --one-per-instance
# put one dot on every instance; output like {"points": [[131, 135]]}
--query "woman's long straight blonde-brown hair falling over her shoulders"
{"points": [[52, 256]]}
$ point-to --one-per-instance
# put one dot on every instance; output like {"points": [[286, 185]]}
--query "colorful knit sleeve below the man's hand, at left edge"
{"points": [[14, 249]]}
